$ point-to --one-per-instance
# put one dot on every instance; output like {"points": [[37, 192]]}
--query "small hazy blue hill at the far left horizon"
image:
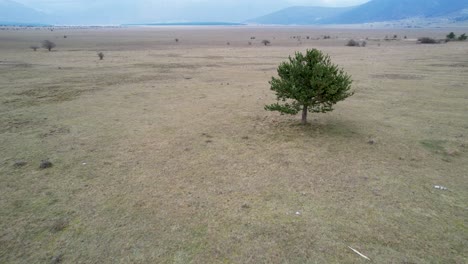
{"points": [[12, 12]]}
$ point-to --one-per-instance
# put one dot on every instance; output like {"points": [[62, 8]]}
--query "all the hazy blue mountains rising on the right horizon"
{"points": [[372, 11]]}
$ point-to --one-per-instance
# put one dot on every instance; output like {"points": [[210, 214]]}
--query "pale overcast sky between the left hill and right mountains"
{"points": [[171, 10]]}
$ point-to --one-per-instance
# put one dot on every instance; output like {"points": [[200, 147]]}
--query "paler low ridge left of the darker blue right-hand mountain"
{"points": [[300, 15]]}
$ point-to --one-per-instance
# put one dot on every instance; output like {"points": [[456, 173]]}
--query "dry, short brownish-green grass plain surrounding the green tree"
{"points": [[163, 153]]}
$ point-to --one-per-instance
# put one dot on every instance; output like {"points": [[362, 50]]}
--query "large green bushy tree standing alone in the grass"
{"points": [[310, 83]]}
